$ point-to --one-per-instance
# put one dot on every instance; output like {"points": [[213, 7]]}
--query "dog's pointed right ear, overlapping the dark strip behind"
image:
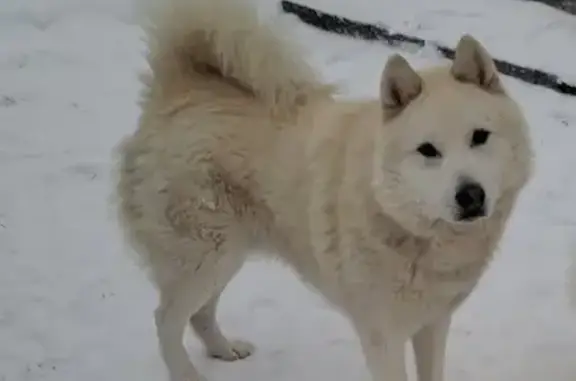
{"points": [[472, 64]]}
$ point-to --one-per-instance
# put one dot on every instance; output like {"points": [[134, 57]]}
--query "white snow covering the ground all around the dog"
{"points": [[73, 306]]}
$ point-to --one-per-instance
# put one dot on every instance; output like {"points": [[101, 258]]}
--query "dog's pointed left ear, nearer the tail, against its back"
{"points": [[399, 85]]}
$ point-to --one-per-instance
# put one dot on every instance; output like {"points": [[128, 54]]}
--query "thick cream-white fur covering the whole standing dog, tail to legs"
{"points": [[241, 147]]}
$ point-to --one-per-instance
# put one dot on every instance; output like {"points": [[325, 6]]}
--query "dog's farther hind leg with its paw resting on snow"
{"points": [[217, 345]]}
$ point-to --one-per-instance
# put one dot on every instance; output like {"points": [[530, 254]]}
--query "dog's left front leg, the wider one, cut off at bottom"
{"points": [[385, 355]]}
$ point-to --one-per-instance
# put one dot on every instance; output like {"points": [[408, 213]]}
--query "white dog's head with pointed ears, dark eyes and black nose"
{"points": [[452, 142]]}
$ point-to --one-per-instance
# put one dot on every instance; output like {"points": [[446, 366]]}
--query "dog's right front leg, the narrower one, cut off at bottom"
{"points": [[430, 349]]}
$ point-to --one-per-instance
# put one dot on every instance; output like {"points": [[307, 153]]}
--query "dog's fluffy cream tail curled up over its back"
{"points": [[225, 38]]}
